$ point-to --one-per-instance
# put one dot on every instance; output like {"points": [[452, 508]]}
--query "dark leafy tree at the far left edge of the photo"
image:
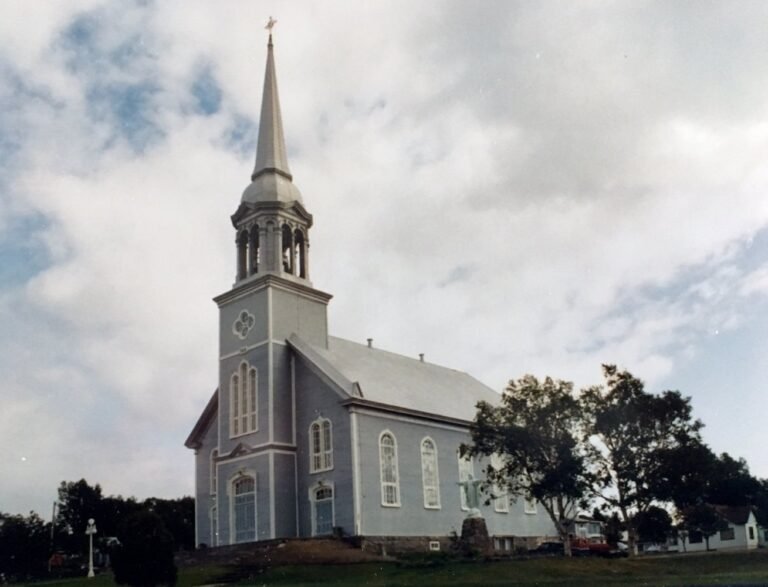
{"points": [[24, 544]]}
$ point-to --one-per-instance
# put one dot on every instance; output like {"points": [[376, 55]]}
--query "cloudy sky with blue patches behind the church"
{"points": [[507, 187]]}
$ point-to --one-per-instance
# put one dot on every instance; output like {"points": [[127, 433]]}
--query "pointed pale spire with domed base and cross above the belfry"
{"points": [[271, 179]]}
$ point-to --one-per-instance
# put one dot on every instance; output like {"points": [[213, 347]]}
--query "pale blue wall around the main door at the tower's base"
{"points": [[253, 465]]}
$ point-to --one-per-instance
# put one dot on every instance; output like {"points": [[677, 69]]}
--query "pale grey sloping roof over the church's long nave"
{"points": [[392, 380]]}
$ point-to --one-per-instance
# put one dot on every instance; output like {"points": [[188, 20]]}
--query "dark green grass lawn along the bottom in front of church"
{"points": [[712, 569]]}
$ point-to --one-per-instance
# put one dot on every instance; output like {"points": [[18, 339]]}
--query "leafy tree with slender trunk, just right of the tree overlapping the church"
{"points": [[627, 429]]}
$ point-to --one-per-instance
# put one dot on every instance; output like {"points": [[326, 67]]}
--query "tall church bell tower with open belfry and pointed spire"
{"points": [[272, 298]]}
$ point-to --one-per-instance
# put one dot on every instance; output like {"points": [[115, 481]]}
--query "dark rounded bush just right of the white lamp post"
{"points": [[144, 557]]}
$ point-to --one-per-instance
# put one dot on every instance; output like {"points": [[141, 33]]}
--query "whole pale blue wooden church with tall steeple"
{"points": [[312, 435]]}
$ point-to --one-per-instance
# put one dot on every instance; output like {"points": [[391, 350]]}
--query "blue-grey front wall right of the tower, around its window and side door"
{"points": [[314, 398]]}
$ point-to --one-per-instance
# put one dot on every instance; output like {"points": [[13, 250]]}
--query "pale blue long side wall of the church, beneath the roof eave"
{"points": [[412, 518]]}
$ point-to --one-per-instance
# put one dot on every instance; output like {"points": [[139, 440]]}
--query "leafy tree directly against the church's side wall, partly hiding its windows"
{"points": [[535, 433]]}
